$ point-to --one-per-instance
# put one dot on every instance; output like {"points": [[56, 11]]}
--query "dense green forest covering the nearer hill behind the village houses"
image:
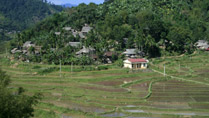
{"points": [[158, 27]]}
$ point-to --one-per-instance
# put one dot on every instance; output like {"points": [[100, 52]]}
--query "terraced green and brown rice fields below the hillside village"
{"points": [[116, 92]]}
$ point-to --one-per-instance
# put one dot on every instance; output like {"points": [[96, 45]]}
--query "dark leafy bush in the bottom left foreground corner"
{"points": [[14, 104]]}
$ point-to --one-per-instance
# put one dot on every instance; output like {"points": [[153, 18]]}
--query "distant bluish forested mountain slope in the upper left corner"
{"points": [[17, 15]]}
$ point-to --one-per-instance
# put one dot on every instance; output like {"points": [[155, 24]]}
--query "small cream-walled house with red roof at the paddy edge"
{"points": [[136, 63]]}
